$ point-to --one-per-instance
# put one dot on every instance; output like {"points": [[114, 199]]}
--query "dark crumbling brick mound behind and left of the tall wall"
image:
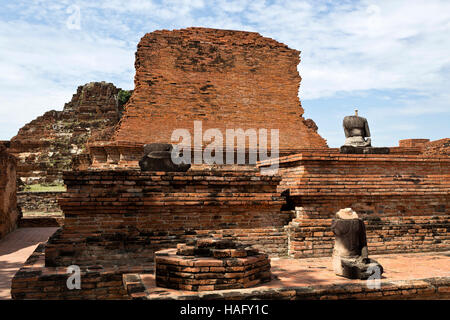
{"points": [[45, 146]]}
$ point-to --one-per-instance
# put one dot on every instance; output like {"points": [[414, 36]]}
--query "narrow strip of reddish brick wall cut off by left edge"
{"points": [[9, 214]]}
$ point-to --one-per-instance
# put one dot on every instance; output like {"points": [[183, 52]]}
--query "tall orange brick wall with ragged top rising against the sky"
{"points": [[226, 79]]}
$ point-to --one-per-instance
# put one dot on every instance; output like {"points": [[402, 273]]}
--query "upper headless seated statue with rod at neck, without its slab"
{"points": [[356, 130]]}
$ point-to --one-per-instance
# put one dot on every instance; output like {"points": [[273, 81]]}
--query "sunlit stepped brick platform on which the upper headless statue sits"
{"points": [[403, 199]]}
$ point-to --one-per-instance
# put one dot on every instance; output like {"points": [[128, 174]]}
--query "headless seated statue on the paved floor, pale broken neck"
{"points": [[350, 253]]}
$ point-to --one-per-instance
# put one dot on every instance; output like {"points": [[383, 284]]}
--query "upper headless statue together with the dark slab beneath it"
{"points": [[357, 135]]}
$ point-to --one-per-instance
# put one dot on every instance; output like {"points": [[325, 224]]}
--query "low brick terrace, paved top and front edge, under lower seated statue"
{"points": [[313, 278]]}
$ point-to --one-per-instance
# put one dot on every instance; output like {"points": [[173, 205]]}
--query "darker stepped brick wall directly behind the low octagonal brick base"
{"points": [[114, 216]]}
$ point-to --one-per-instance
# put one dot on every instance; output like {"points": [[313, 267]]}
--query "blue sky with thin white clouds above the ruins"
{"points": [[390, 59]]}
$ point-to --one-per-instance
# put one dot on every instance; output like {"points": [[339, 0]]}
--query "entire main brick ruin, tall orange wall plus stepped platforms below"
{"points": [[117, 217]]}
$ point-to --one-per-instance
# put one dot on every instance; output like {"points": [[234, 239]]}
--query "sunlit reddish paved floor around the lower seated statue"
{"points": [[318, 272]]}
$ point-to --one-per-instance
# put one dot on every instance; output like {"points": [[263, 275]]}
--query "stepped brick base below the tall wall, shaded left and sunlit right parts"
{"points": [[116, 220]]}
